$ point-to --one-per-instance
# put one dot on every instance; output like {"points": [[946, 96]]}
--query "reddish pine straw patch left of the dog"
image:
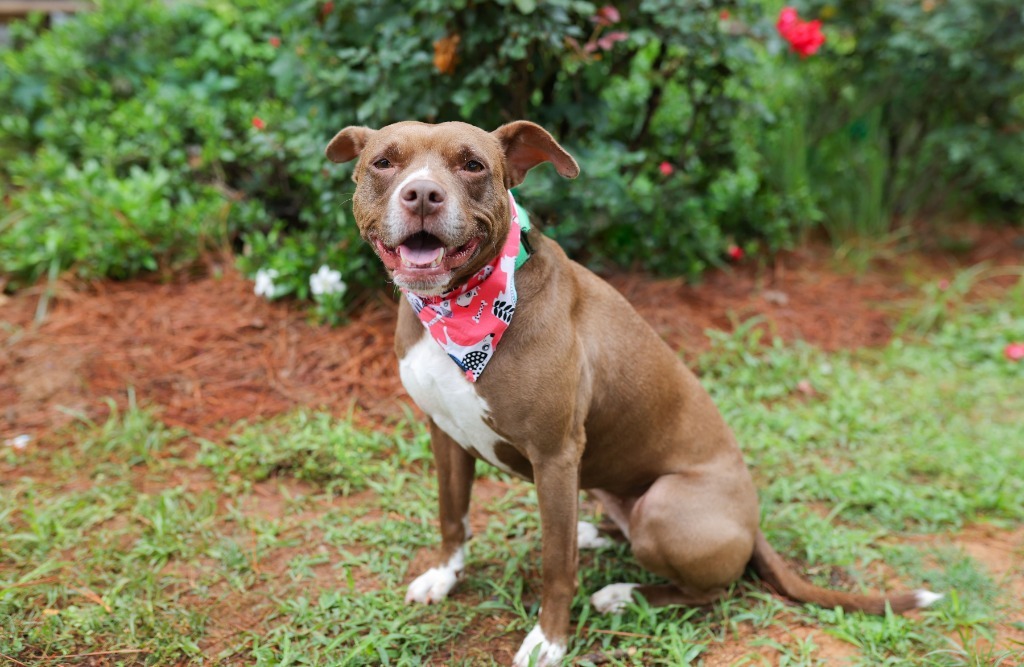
{"points": [[207, 351]]}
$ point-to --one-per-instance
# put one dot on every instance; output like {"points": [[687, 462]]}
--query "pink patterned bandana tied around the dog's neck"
{"points": [[470, 321]]}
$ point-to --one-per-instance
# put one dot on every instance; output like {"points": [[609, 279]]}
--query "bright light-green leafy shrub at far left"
{"points": [[126, 129]]}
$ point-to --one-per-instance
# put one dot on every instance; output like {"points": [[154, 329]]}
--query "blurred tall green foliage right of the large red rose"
{"points": [[913, 108]]}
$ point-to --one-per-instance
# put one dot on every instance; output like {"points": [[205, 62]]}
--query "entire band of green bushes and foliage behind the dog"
{"points": [[141, 136]]}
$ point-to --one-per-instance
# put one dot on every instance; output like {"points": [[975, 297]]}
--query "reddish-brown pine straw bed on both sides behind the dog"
{"points": [[209, 353]]}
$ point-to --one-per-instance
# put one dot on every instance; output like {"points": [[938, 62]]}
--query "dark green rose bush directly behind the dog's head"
{"points": [[677, 88]]}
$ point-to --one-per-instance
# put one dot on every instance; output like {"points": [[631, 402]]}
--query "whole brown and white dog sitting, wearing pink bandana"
{"points": [[580, 394]]}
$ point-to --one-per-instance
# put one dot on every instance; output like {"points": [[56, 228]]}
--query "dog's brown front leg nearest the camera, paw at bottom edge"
{"points": [[558, 483]]}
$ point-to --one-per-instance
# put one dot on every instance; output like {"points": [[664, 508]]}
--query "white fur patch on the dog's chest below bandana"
{"points": [[443, 392]]}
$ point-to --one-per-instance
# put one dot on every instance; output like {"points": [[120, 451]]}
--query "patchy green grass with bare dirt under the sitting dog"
{"points": [[291, 541]]}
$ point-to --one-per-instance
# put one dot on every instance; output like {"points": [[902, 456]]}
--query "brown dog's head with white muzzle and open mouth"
{"points": [[433, 200]]}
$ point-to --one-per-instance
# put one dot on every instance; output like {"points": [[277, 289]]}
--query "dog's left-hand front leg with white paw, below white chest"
{"points": [[455, 481]]}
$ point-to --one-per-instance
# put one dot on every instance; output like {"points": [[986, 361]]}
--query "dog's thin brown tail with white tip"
{"points": [[771, 567]]}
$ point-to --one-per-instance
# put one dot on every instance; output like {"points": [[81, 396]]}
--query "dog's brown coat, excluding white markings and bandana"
{"points": [[584, 395]]}
